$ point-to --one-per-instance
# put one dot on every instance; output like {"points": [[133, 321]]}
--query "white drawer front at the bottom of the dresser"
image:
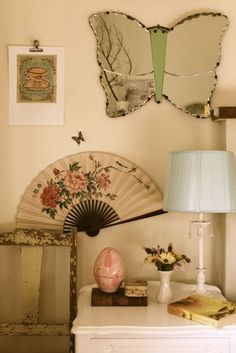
{"points": [[186, 345]]}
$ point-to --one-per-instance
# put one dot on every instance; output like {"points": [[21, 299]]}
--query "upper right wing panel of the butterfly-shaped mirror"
{"points": [[193, 46]]}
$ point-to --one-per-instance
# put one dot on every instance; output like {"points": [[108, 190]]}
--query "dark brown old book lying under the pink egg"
{"points": [[99, 298]]}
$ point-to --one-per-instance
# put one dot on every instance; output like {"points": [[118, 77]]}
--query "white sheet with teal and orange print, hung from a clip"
{"points": [[36, 86]]}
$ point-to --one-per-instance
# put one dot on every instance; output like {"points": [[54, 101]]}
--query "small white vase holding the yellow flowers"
{"points": [[164, 294]]}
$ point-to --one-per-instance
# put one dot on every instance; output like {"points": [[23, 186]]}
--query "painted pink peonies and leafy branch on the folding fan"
{"points": [[73, 185]]}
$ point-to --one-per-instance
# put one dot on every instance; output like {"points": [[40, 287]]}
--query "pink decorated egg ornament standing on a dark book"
{"points": [[109, 270]]}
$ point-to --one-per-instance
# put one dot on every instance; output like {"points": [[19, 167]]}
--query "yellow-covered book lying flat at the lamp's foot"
{"points": [[214, 311]]}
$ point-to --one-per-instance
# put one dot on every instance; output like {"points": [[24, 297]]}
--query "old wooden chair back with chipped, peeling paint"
{"points": [[32, 243]]}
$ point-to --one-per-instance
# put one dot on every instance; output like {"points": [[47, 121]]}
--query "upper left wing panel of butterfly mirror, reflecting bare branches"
{"points": [[123, 43]]}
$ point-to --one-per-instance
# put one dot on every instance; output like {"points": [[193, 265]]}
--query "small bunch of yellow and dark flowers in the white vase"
{"points": [[165, 260]]}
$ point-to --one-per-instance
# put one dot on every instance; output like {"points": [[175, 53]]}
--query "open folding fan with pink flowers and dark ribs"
{"points": [[88, 190]]}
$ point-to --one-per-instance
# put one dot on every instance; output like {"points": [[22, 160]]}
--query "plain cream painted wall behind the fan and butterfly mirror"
{"points": [[145, 136]]}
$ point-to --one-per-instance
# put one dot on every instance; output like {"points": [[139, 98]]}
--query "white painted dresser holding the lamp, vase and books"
{"points": [[146, 329]]}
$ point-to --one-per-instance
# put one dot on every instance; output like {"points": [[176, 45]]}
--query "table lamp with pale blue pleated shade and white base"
{"points": [[201, 182]]}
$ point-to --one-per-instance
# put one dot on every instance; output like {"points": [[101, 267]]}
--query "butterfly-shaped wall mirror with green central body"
{"points": [[177, 63]]}
